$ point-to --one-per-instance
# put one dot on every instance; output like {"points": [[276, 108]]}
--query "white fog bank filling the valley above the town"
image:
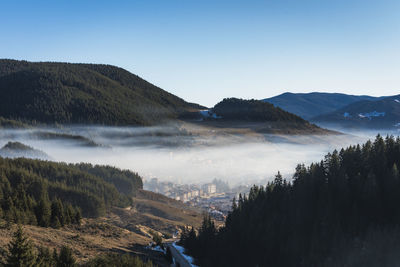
{"points": [[182, 156]]}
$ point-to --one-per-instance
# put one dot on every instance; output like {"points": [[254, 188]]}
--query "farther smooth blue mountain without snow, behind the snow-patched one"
{"points": [[309, 105]]}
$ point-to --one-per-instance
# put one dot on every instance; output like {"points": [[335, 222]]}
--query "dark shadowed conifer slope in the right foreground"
{"points": [[342, 211]]}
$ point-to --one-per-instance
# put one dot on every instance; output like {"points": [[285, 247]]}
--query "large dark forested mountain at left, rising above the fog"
{"points": [[51, 92]]}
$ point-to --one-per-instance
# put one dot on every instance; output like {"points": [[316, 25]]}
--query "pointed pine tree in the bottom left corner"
{"points": [[20, 250]]}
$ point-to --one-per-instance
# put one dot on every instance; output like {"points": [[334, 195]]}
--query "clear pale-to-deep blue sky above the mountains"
{"points": [[205, 50]]}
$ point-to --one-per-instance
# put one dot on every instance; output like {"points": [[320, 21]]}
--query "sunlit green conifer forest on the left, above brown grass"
{"points": [[54, 194]]}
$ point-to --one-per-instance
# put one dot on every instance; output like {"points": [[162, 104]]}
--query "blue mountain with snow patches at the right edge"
{"points": [[384, 113]]}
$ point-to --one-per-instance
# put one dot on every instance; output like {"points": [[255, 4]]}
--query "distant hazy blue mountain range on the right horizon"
{"points": [[342, 110]]}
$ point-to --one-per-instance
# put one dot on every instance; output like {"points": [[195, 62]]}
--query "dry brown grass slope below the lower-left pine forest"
{"points": [[122, 230]]}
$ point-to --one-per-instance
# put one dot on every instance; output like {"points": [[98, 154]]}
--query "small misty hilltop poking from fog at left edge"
{"points": [[19, 150]]}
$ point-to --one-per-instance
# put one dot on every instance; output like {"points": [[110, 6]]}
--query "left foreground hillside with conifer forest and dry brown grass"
{"points": [[93, 209]]}
